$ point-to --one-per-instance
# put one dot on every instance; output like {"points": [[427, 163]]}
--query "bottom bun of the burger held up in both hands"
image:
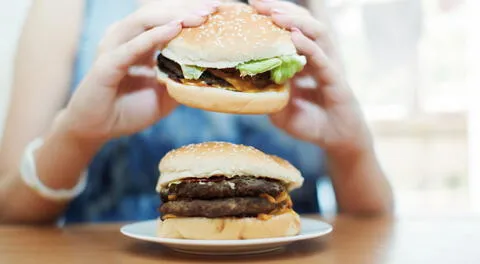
{"points": [[226, 101]]}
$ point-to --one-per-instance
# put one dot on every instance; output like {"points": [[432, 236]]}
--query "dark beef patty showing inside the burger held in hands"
{"points": [[174, 72]]}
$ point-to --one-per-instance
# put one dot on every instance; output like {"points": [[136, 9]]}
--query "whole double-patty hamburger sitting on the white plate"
{"points": [[219, 190]]}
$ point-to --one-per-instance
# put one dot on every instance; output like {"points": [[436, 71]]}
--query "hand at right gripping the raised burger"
{"points": [[322, 108]]}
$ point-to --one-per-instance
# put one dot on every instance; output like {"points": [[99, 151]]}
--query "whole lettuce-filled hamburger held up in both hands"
{"points": [[239, 61]]}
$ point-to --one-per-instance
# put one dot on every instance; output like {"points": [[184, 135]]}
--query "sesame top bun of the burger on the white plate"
{"points": [[221, 158]]}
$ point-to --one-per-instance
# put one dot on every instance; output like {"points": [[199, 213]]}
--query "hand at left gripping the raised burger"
{"points": [[111, 102]]}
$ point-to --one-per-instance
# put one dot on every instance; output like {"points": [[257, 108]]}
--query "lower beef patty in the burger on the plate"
{"points": [[236, 207]]}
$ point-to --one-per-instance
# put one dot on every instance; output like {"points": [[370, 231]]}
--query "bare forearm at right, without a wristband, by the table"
{"points": [[360, 184]]}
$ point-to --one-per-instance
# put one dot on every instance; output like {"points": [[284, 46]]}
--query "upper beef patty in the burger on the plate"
{"points": [[222, 187]]}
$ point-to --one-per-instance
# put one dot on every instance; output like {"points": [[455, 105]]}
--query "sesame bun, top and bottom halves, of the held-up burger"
{"points": [[235, 34]]}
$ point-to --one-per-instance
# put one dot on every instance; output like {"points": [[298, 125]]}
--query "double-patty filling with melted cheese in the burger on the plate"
{"points": [[225, 197]]}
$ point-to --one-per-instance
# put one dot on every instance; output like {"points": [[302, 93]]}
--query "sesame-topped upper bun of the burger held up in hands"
{"points": [[233, 35]]}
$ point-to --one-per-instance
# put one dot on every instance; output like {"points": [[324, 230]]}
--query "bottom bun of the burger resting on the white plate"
{"points": [[287, 224]]}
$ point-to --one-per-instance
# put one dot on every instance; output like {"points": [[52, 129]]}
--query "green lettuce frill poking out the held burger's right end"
{"points": [[289, 67]]}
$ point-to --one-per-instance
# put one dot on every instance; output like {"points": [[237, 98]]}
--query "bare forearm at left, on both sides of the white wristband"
{"points": [[59, 162]]}
